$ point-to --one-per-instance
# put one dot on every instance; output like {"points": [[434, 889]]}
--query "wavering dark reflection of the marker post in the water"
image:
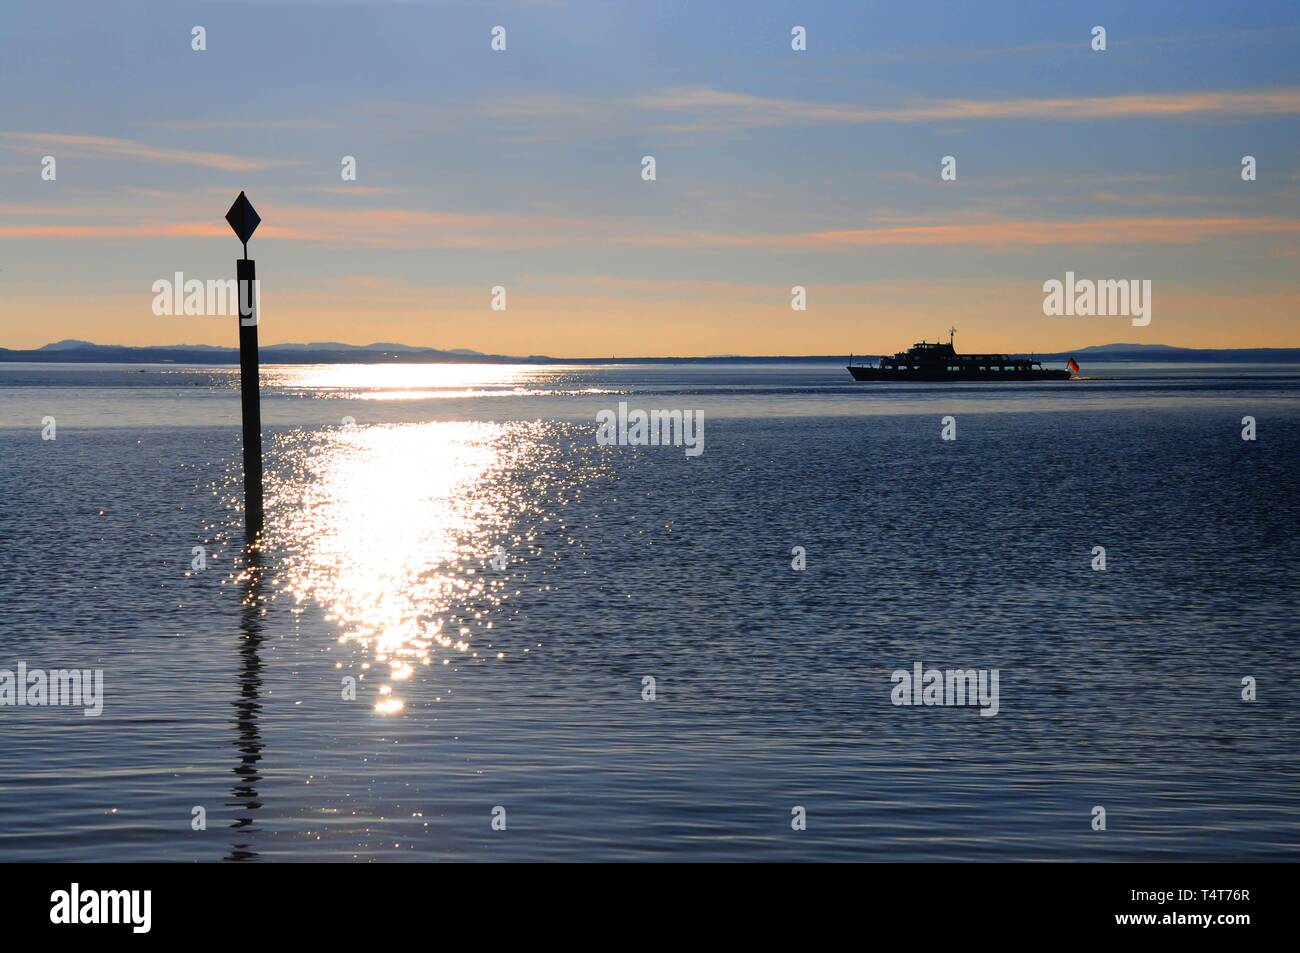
{"points": [[248, 709]]}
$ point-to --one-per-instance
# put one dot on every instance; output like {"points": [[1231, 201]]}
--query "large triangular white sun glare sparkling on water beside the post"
{"points": [[389, 529]]}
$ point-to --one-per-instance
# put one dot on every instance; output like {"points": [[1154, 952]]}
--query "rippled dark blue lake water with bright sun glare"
{"points": [[522, 687]]}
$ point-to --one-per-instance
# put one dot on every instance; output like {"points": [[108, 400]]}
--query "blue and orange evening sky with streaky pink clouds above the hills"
{"points": [[774, 168]]}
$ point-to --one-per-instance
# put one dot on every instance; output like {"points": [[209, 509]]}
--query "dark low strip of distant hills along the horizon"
{"points": [[336, 353]]}
